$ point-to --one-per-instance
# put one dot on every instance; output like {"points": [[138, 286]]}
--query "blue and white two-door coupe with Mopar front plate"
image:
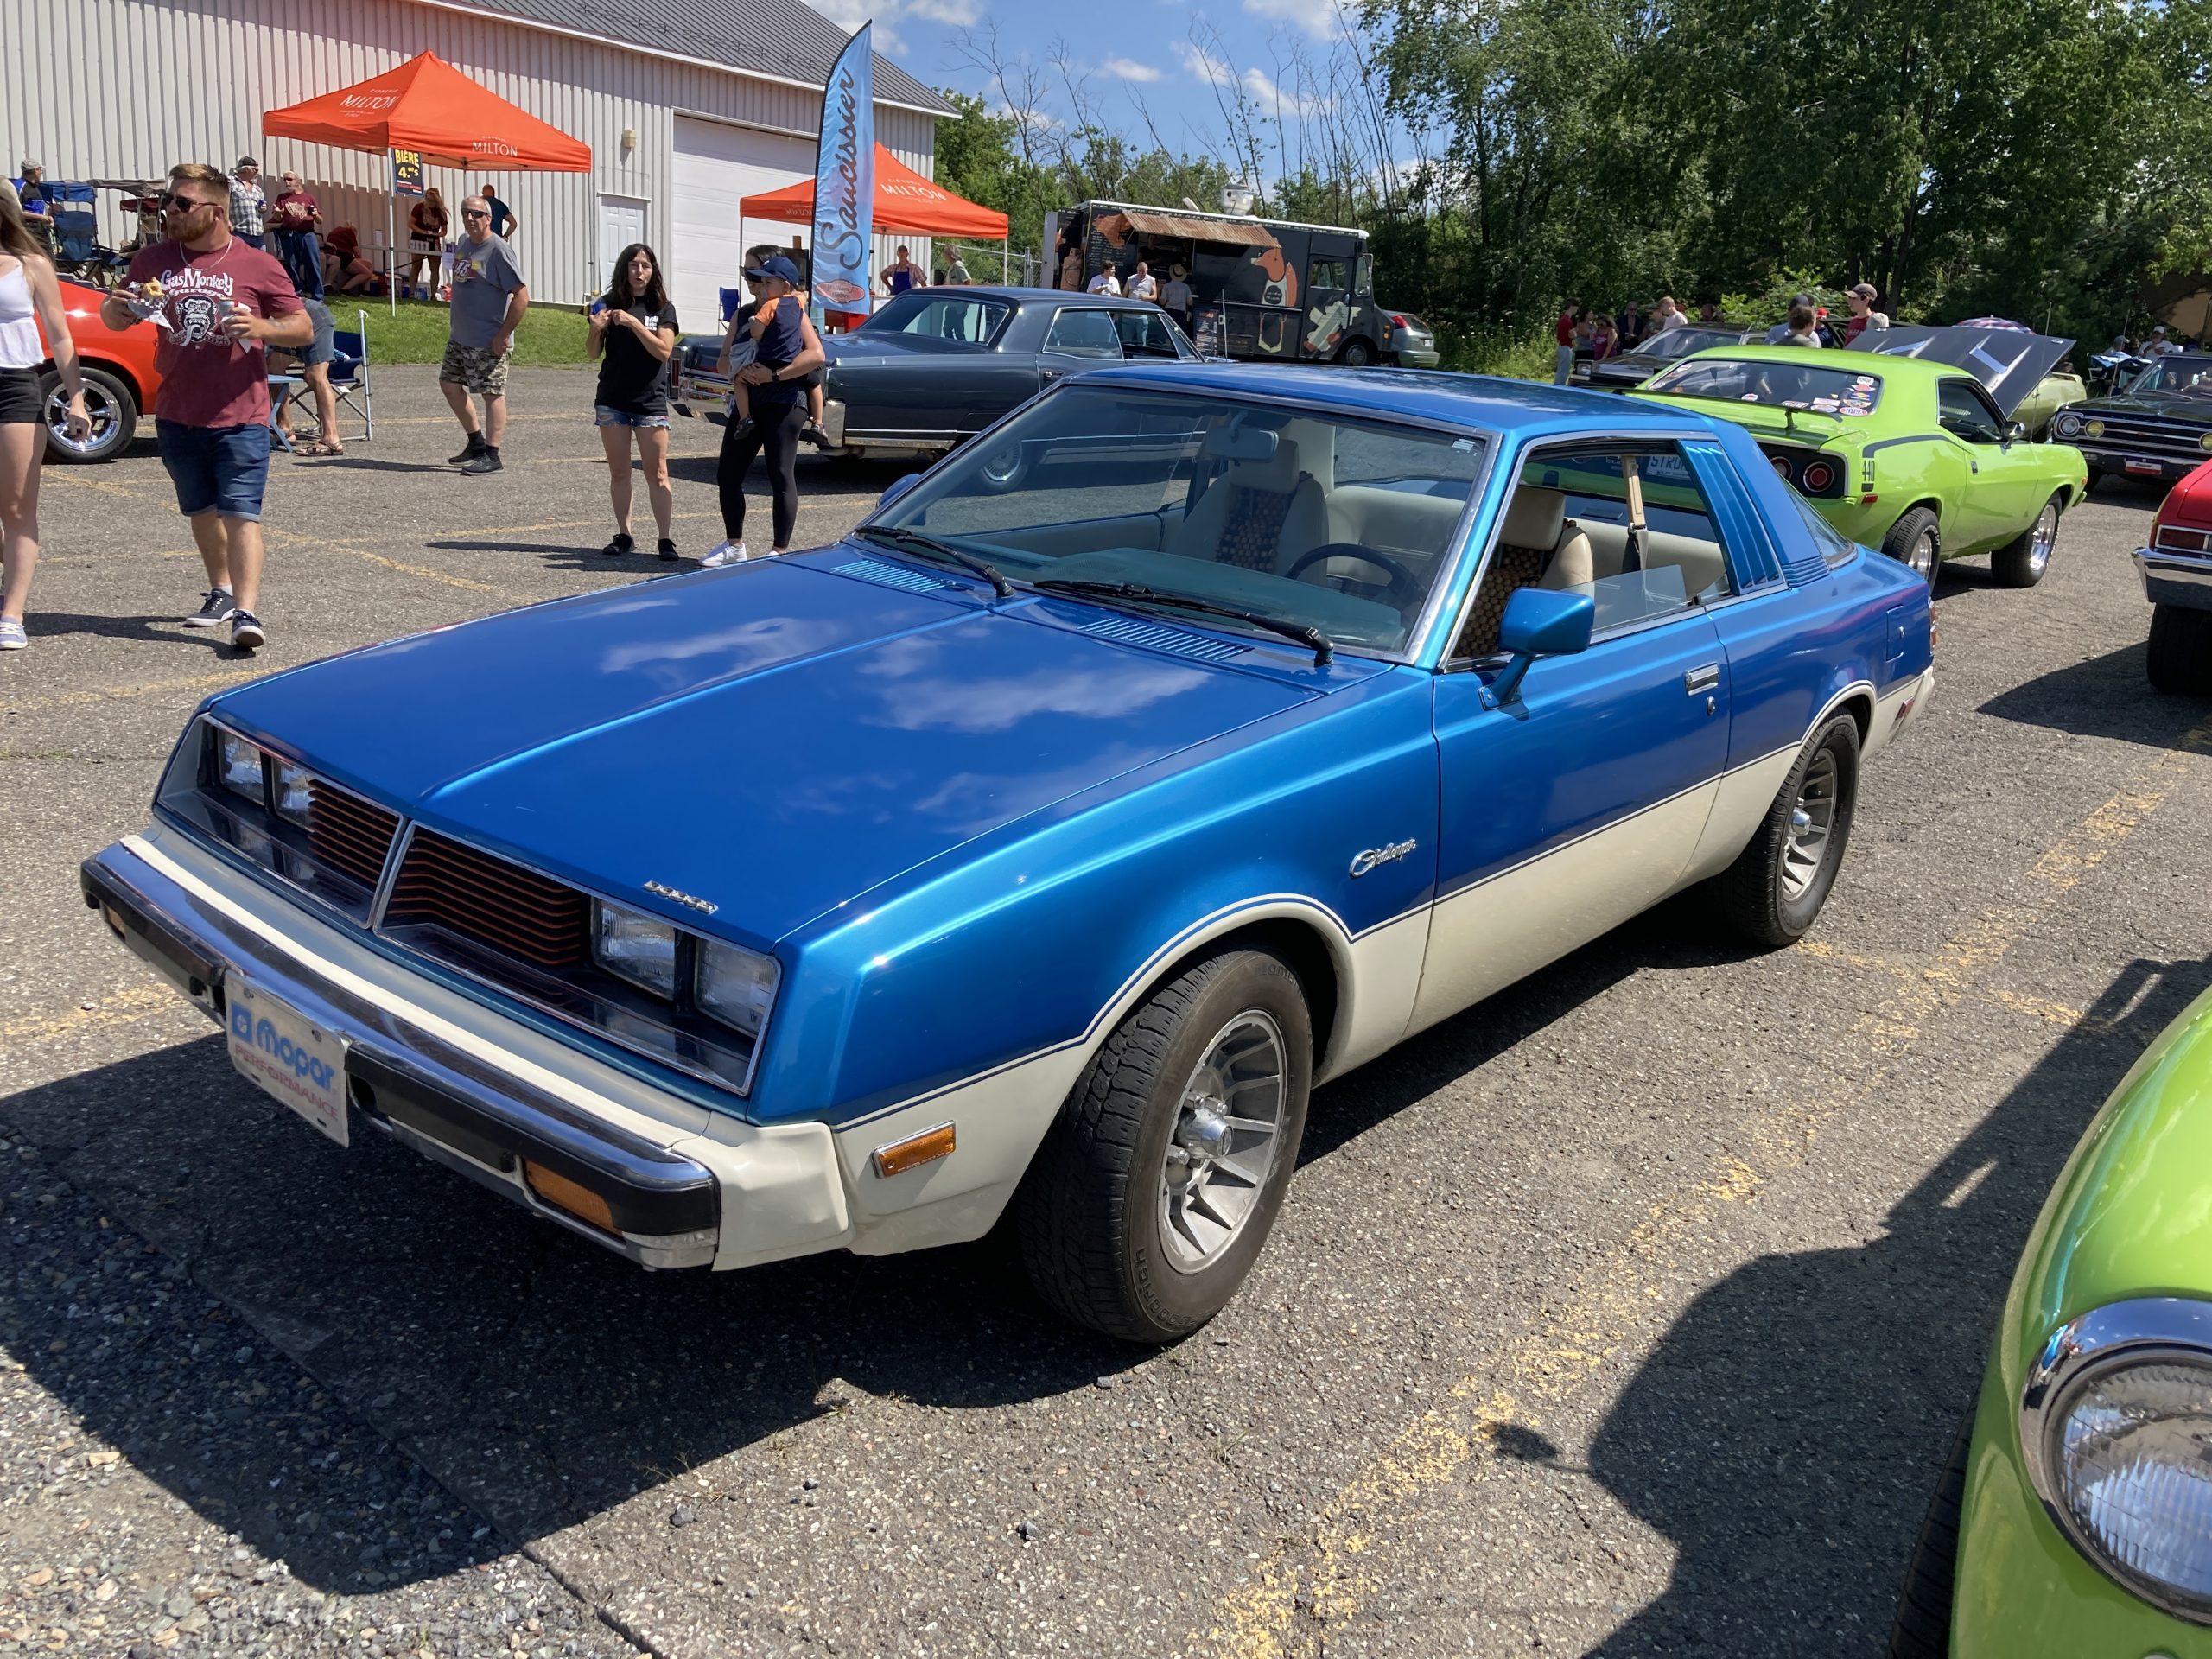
{"points": [[1187, 740]]}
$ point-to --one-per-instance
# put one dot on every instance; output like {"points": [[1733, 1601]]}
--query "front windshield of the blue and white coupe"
{"points": [[1302, 517]]}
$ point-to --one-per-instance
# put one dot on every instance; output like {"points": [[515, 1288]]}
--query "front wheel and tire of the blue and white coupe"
{"points": [[1162, 1176]]}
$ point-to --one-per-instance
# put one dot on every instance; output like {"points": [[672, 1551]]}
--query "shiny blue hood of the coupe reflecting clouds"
{"points": [[773, 740]]}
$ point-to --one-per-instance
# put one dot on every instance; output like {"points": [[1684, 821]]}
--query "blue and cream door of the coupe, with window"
{"points": [[1585, 800]]}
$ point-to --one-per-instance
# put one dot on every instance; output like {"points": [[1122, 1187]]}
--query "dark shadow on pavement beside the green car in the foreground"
{"points": [[1802, 1408]]}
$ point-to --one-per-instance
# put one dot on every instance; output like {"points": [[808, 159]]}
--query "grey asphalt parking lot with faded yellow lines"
{"points": [[1629, 1313]]}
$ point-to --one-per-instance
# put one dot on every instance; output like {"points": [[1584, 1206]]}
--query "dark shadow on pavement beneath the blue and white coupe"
{"points": [[536, 1377]]}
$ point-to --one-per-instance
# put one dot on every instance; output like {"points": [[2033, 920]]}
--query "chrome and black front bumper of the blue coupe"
{"points": [[421, 1089]]}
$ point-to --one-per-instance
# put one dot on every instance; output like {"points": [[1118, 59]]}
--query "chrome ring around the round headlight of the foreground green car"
{"points": [[2087, 1350]]}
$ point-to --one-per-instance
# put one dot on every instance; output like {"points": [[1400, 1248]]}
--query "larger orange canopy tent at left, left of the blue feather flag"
{"points": [[430, 107]]}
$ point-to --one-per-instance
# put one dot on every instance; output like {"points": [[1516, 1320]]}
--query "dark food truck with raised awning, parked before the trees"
{"points": [[1262, 289]]}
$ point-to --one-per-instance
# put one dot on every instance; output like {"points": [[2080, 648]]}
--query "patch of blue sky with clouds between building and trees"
{"points": [[1142, 65]]}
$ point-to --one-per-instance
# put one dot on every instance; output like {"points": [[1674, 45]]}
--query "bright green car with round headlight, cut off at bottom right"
{"points": [[2083, 1516]]}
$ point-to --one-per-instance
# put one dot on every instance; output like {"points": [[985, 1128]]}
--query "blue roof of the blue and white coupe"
{"points": [[1421, 395]]}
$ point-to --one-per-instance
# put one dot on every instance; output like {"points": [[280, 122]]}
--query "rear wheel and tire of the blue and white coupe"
{"points": [[1775, 890]]}
